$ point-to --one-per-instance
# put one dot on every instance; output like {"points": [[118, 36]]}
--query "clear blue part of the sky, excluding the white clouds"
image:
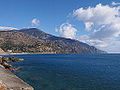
{"points": [[50, 13]]}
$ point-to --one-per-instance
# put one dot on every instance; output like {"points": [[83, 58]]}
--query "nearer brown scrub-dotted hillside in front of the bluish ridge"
{"points": [[18, 42]]}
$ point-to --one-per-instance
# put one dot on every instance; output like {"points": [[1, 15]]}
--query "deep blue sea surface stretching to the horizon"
{"points": [[70, 71]]}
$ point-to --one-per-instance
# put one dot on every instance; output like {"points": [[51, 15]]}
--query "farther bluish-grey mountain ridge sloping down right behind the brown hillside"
{"points": [[64, 45]]}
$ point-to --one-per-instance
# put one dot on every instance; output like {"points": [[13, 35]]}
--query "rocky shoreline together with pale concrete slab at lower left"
{"points": [[9, 81]]}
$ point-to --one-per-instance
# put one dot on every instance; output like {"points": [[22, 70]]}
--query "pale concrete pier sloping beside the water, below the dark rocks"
{"points": [[9, 81]]}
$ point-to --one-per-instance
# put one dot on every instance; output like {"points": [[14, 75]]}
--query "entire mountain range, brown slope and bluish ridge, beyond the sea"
{"points": [[33, 40]]}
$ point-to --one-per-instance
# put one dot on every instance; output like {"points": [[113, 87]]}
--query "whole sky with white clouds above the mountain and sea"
{"points": [[95, 22]]}
